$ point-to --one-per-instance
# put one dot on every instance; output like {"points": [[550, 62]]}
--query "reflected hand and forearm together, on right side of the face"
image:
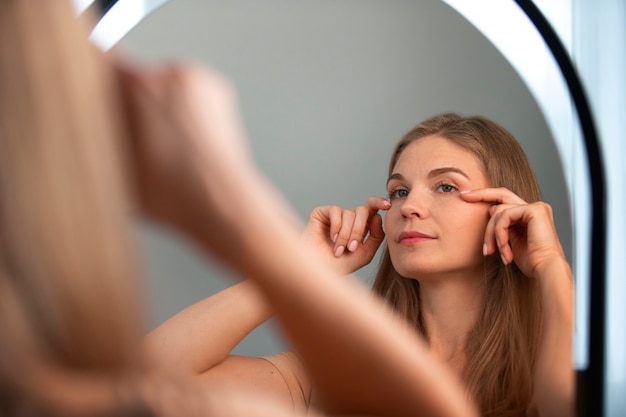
{"points": [[524, 233]]}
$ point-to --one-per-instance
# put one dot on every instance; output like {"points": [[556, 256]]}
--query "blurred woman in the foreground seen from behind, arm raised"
{"points": [[87, 143]]}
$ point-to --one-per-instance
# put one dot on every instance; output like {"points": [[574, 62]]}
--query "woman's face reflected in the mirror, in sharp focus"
{"points": [[430, 229]]}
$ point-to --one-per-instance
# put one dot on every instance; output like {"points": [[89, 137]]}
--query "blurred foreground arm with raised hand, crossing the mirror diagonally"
{"points": [[362, 358]]}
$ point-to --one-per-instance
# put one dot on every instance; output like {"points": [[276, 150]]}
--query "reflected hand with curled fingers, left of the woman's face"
{"points": [[348, 239]]}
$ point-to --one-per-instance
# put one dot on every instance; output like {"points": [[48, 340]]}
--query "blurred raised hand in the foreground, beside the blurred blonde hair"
{"points": [[184, 127]]}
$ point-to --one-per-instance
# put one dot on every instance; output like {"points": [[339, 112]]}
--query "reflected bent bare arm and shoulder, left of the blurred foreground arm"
{"points": [[198, 341]]}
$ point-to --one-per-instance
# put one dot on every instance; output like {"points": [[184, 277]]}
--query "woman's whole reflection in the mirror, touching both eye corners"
{"points": [[472, 262]]}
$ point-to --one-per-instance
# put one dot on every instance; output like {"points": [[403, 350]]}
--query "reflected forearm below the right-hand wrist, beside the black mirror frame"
{"points": [[554, 378]]}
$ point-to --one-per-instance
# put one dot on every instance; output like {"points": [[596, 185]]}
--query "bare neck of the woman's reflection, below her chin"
{"points": [[450, 309]]}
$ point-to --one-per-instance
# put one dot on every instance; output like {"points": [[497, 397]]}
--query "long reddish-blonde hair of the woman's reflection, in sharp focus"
{"points": [[502, 348]]}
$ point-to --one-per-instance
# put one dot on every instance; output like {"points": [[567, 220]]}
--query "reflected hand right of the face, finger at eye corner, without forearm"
{"points": [[522, 232]]}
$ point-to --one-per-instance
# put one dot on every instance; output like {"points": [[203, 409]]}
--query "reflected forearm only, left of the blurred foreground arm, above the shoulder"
{"points": [[203, 335]]}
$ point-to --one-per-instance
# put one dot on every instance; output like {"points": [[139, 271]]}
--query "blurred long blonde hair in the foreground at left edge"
{"points": [[68, 283]]}
